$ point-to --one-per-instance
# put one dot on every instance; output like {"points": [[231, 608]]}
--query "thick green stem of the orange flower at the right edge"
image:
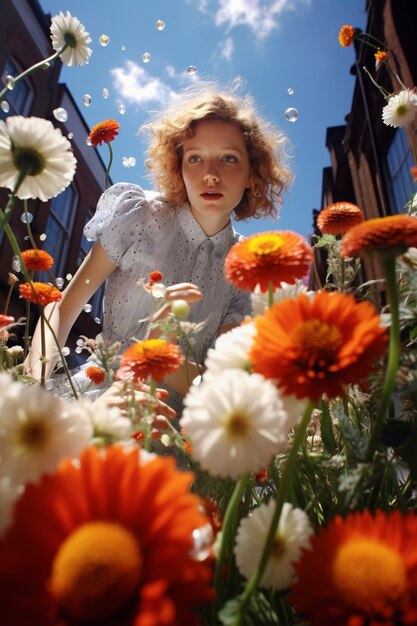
{"points": [[388, 265]]}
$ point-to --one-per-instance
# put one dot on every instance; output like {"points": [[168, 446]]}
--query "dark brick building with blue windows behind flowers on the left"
{"points": [[25, 40]]}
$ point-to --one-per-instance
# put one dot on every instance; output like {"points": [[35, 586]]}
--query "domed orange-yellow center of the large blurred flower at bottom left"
{"points": [[96, 571]]}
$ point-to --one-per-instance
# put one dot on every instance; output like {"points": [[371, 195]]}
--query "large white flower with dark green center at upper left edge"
{"points": [[34, 145]]}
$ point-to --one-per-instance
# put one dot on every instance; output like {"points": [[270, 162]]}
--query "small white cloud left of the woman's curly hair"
{"points": [[135, 85]]}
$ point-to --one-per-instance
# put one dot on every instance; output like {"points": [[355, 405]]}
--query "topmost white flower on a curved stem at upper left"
{"points": [[66, 29]]}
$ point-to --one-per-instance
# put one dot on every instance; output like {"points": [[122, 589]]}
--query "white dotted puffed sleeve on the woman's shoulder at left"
{"points": [[127, 224]]}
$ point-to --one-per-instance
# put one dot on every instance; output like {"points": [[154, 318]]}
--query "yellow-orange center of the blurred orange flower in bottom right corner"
{"points": [[369, 574]]}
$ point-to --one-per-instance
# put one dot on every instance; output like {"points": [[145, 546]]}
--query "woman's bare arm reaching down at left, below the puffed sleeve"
{"points": [[94, 270]]}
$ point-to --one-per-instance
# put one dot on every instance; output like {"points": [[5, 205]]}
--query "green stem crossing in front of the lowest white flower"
{"points": [[285, 482]]}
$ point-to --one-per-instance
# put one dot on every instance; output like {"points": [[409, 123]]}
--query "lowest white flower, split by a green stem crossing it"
{"points": [[293, 534]]}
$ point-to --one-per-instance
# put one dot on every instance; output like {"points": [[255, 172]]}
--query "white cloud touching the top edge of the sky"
{"points": [[261, 16]]}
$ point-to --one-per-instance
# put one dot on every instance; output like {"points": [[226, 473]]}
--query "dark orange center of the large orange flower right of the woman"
{"points": [[318, 342]]}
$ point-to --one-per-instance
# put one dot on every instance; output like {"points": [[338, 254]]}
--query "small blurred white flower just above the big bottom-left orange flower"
{"points": [[107, 422]]}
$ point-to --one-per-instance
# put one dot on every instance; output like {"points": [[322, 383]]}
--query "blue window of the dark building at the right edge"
{"points": [[399, 161]]}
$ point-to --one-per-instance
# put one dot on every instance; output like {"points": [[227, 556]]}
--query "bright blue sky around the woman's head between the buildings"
{"points": [[272, 46]]}
